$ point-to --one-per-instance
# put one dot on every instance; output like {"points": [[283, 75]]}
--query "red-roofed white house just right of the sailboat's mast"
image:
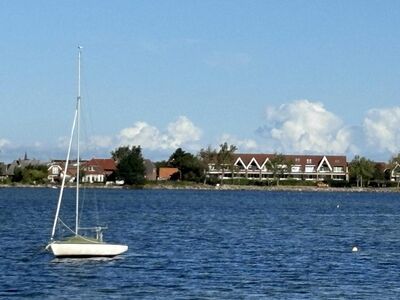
{"points": [[98, 170]]}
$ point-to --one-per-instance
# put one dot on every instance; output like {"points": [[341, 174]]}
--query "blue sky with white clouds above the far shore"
{"points": [[293, 77]]}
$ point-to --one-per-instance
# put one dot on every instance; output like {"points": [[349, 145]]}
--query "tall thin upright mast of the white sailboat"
{"points": [[78, 108]]}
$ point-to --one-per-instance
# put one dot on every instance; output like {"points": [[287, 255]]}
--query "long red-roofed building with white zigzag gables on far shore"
{"points": [[300, 167]]}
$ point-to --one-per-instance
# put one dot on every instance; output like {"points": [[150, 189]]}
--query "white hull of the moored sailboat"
{"points": [[86, 250]]}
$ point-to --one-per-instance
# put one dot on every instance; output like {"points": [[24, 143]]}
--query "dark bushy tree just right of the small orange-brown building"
{"points": [[189, 166]]}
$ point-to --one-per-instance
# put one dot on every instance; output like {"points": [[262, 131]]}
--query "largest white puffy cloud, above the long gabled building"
{"points": [[303, 126]]}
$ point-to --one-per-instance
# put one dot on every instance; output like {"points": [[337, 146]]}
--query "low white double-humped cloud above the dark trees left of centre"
{"points": [[179, 133]]}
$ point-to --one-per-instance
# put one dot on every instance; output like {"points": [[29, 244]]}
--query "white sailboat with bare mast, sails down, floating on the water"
{"points": [[78, 245]]}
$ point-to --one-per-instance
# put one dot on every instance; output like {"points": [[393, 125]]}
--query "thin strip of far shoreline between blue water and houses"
{"points": [[225, 187]]}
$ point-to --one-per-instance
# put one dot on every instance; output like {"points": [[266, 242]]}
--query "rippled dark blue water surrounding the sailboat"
{"points": [[209, 245]]}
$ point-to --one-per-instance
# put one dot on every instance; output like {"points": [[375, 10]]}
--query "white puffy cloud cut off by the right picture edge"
{"points": [[382, 131]]}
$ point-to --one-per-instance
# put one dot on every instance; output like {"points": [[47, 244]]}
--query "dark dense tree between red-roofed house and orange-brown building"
{"points": [[130, 167]]}
